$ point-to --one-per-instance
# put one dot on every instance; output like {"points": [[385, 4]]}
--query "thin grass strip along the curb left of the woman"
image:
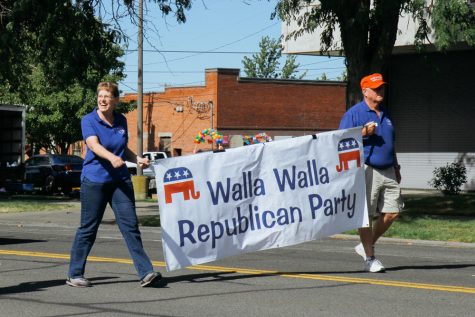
{"points": [[22, 203]]}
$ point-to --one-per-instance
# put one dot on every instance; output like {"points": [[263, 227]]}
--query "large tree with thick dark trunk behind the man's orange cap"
{"points": [[368, 29]]}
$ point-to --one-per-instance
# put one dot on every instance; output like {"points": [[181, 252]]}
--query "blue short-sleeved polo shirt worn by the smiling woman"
{"points": [[114, 138]]}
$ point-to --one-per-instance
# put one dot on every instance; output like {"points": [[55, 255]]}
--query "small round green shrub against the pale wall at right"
{"points": [[449, 178]]}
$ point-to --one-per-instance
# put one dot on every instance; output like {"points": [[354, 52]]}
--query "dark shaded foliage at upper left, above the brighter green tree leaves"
{"points": [[63, 38]]}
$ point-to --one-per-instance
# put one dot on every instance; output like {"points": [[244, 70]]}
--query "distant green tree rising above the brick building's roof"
{"points": [[265, 64]]}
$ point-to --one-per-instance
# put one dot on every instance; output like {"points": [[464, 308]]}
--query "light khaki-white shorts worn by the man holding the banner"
{"points": [[383, 193]]}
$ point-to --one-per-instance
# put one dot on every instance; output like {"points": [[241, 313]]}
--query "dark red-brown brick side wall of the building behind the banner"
{"points": [[301, 107]]}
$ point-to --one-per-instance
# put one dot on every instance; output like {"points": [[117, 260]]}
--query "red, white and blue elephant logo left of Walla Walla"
{"points": [[179, 180]]}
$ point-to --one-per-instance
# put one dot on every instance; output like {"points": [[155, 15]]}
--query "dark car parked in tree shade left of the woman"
{"points": [[54, 173]]}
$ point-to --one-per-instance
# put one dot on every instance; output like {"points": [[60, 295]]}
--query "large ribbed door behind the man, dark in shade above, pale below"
{"points": [[431, 99]]}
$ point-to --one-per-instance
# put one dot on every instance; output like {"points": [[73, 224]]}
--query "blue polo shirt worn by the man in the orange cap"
{"points": [[379, 147]]}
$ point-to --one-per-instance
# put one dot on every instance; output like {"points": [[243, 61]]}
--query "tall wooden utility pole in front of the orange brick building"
{"points": [[140, 88]]}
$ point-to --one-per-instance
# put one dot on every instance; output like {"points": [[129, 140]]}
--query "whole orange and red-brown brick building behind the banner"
{"points": [[235, 107]]}
